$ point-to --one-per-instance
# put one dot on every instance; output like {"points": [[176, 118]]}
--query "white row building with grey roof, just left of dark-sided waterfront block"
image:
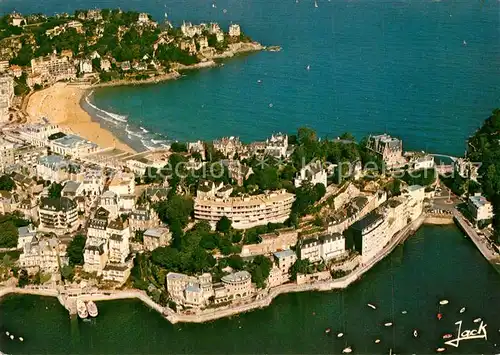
{"points": [[323, 248]]}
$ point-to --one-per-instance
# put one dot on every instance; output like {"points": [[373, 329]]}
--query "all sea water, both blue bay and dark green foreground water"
{"points": [[425, 71]]}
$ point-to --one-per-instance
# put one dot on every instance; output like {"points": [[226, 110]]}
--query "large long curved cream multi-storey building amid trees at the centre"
{"points": [[245, 212]]}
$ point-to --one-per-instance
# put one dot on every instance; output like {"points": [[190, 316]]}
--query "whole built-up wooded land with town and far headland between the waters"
{"points": [[200, 230]]}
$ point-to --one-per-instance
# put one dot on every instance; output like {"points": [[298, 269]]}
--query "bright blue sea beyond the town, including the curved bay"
{"points": [[426, 71]]}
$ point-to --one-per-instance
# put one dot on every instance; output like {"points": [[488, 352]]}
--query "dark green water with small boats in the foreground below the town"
{"points": [[406, 287]]}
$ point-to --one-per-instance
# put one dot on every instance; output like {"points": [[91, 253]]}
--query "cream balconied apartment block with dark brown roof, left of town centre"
{"points": [[58, 214]]}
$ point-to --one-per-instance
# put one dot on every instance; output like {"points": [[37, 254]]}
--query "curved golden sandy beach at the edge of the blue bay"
{"points": [[60, 104]]}
